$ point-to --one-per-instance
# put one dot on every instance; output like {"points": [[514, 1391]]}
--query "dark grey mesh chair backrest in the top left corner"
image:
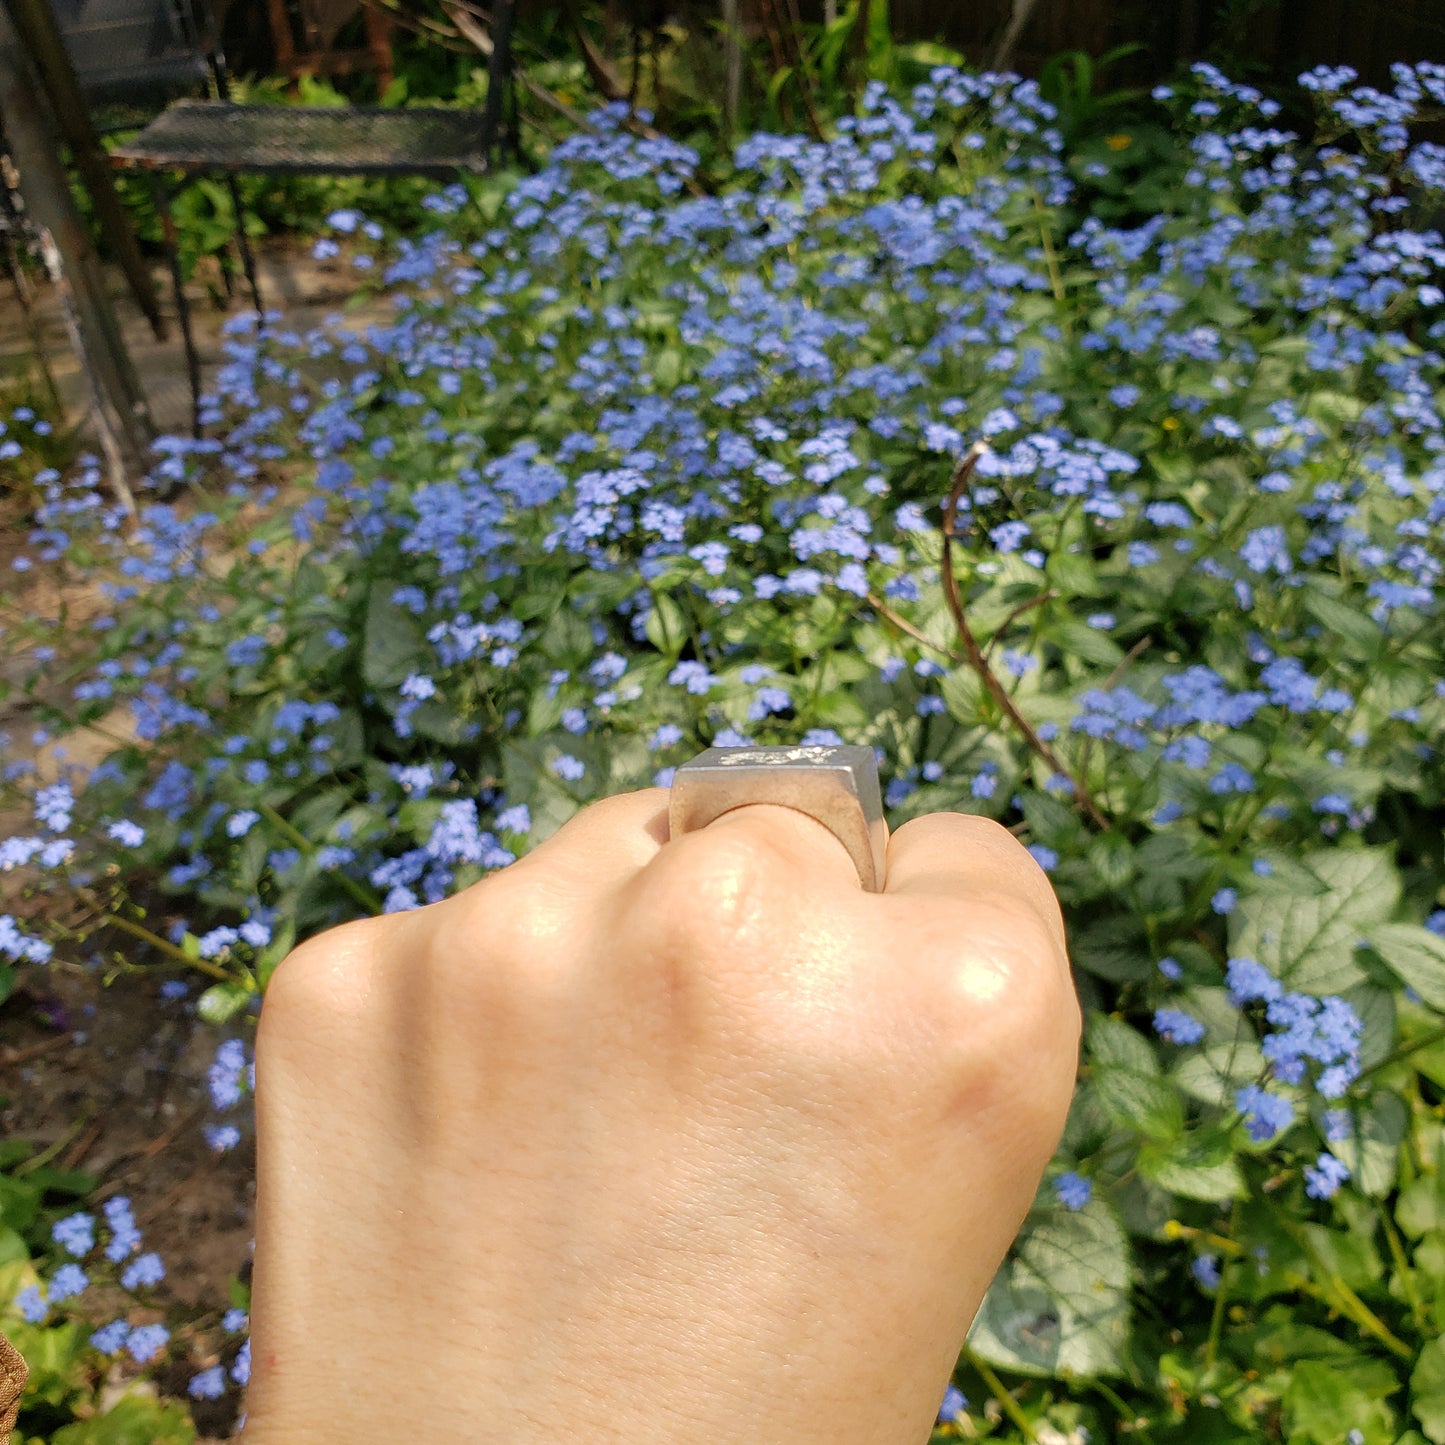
{"points": [[137, 51]]}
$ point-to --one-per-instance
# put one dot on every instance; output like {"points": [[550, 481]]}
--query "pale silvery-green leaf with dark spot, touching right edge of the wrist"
{"points": [[1061, 1307]]}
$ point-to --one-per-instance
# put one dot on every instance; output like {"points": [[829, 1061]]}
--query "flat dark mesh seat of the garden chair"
{"points": [[309, 139]]}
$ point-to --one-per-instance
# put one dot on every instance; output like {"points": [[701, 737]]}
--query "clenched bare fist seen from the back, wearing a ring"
{"points": [[657, 1142]]}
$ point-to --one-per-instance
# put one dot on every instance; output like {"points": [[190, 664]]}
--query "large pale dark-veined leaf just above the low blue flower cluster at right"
{"points": [[1308, 940]]}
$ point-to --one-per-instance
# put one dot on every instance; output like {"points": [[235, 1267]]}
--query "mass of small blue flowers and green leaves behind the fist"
{"points": [[639, 470]]}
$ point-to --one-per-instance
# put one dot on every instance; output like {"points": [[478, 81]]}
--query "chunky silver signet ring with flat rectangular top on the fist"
{"points": [[836, 785]]}
